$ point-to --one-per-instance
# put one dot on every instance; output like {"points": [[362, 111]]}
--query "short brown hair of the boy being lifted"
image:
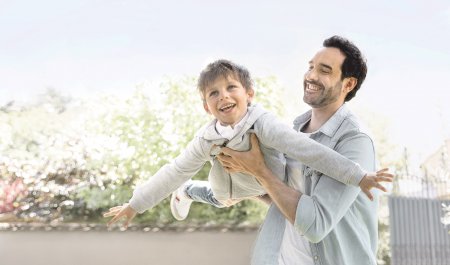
{"points": [[223, 68]]}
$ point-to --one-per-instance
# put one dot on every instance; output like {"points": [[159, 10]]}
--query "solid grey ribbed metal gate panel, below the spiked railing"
{"points": [[417, 233]]}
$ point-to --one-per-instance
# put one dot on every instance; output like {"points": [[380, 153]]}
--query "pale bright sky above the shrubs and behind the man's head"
{"points": [[86, 46]]}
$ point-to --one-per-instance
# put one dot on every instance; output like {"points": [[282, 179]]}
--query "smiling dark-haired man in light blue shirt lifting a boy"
{"points": [[315, 219]]}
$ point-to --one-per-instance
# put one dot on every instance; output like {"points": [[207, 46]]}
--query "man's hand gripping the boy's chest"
{"points": [[251, 162]]}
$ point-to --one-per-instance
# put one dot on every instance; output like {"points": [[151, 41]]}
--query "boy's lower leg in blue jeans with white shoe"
{"points": [[192, 190]]}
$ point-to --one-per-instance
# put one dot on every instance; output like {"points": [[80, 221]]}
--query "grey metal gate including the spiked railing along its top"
{"points": [[415, 210]]}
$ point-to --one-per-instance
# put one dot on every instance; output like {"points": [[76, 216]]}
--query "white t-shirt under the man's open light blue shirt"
{"points": [[295, 248]]}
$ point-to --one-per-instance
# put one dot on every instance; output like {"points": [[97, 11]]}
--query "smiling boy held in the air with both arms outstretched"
{"points": [[227, 93]]}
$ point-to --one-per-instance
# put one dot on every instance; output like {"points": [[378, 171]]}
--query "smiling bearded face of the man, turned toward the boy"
{"points": [[322, 82]]}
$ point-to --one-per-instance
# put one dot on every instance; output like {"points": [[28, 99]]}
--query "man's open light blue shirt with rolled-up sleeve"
{"points": [[339, 220]]}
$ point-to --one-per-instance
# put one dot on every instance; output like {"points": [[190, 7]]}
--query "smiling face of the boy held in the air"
{"points": [[227, 100]]}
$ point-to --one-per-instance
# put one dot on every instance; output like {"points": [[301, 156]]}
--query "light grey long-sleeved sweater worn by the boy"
{"points": [[276, 140]]}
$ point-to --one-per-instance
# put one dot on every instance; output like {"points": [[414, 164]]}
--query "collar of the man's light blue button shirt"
{"points": [[330, 127]]}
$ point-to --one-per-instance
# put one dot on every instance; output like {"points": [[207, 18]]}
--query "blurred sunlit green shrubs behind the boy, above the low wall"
{"points": [[74, 159]]}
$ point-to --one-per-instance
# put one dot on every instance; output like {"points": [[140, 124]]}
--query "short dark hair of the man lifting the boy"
{"points": [[354, 64]]}
